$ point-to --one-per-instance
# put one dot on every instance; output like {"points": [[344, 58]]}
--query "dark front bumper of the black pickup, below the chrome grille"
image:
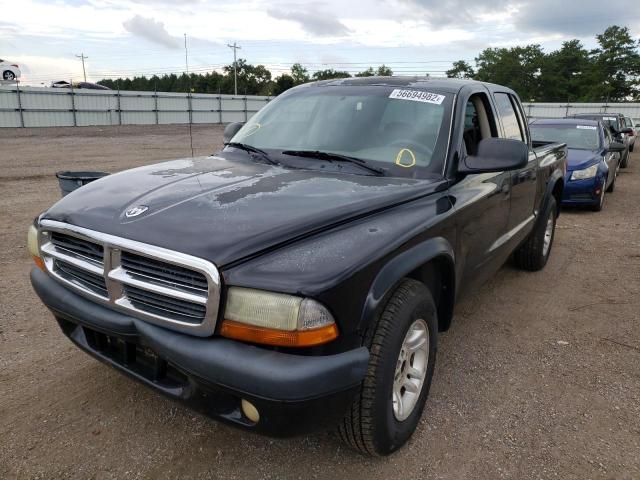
{"points": [[294, 394]]}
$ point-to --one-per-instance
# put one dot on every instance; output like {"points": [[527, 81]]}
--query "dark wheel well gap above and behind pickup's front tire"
{"points": [[438, 275]]}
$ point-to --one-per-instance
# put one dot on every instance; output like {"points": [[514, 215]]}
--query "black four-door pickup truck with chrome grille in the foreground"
{"points": [[300, 277]]}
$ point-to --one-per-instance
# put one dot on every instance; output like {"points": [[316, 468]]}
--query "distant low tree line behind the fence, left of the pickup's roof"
{"points": [[252, 80]]}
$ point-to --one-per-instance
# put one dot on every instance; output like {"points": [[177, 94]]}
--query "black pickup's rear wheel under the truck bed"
{"points": [[533, 254]]}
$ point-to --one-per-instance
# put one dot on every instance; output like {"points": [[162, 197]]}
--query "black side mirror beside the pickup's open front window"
{"points": [[496, 155]]}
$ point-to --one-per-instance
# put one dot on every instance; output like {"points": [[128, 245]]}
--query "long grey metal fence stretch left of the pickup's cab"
{"points": [[52, 107]]}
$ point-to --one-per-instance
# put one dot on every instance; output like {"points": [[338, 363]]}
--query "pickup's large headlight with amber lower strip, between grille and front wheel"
{"points": [[276, 319]]}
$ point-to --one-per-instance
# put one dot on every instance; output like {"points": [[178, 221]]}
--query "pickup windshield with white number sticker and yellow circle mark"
{"points": [[404, 131]]}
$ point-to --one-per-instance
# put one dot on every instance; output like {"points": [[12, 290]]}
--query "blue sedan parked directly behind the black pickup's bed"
{"points": [[593, 157]]}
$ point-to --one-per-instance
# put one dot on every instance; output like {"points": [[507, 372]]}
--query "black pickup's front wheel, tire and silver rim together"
{"points": [[402, 348]]}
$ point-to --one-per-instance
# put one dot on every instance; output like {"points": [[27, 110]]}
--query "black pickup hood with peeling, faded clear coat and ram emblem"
{"points": [[224, 210]]}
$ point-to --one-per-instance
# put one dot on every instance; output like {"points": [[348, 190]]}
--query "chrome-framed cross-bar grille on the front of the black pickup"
{"points": [[161, 286]]}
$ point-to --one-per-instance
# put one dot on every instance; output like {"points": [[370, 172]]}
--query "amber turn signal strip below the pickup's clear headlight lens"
{"points": [[281, 338]]}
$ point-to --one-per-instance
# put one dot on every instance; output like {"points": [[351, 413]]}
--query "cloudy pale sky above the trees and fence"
{"points": [[128, 37]]}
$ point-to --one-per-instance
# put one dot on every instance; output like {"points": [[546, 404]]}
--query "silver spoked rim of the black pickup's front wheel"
{"points": [[411, 369]]}
